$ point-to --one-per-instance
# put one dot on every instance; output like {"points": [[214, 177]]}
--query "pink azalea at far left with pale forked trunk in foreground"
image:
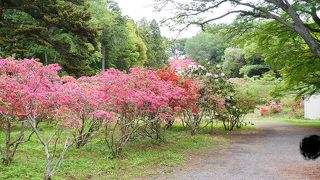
{"points": [[30, 92]]}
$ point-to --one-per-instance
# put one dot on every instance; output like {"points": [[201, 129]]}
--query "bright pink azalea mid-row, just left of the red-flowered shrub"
{"points": [[142, 102]]}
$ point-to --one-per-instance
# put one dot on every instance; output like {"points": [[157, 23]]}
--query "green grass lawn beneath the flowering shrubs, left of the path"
{"points": [[141, 158]]}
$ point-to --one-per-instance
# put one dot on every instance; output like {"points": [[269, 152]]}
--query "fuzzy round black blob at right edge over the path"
{"points": [[310, 147]]}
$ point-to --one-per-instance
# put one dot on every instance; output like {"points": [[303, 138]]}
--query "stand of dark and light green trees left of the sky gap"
{"points": [[75, 33]]}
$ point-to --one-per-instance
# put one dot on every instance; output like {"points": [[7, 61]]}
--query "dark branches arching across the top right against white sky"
{"points": [[299, 16]]}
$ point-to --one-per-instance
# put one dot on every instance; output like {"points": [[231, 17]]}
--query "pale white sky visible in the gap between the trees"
{"points": [[137, 9]]}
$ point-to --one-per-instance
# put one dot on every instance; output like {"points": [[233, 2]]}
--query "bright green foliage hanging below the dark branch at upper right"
{"points": [[284, 50]]}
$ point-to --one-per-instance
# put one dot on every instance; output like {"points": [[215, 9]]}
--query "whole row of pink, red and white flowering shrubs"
{"points": [[140, 103]]}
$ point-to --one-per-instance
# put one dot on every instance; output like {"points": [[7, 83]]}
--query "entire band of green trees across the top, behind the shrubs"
{"points": [[86, 36]]}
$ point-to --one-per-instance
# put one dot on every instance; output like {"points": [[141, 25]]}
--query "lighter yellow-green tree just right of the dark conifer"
{"points": [[124, 46]]}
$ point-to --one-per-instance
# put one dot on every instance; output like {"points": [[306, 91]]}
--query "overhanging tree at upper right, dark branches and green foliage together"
{"points": [[289, 42]]}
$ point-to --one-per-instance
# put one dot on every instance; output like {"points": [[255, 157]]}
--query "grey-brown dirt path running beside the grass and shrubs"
{"points": [[273, 153]]}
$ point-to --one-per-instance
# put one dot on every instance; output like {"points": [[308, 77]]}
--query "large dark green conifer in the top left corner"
{"points": [[56, 27]]}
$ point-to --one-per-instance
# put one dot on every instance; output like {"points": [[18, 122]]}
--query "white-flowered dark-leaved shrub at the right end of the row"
{"points": [[218, 99]]}
